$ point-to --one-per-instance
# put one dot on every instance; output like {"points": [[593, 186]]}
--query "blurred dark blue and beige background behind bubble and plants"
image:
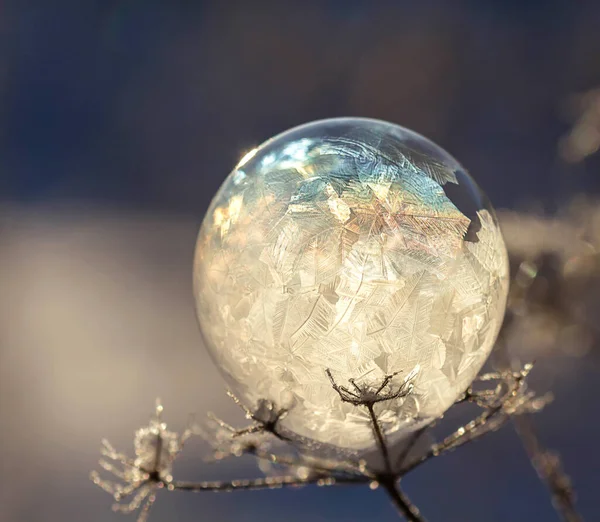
{"points": [[118, 121]]}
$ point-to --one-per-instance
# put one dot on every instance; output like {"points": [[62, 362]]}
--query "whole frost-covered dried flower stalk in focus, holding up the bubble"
{"points": [[156, 448]]}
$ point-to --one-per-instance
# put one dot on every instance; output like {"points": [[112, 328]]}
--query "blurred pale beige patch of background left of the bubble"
{"points": [[96, 320]]}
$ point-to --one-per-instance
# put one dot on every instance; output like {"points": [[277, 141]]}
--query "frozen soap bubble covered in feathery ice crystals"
{"points": [[357, 246]]}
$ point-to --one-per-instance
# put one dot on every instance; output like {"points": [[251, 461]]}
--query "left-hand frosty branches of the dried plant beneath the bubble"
{"points": [[156, 448]]}
